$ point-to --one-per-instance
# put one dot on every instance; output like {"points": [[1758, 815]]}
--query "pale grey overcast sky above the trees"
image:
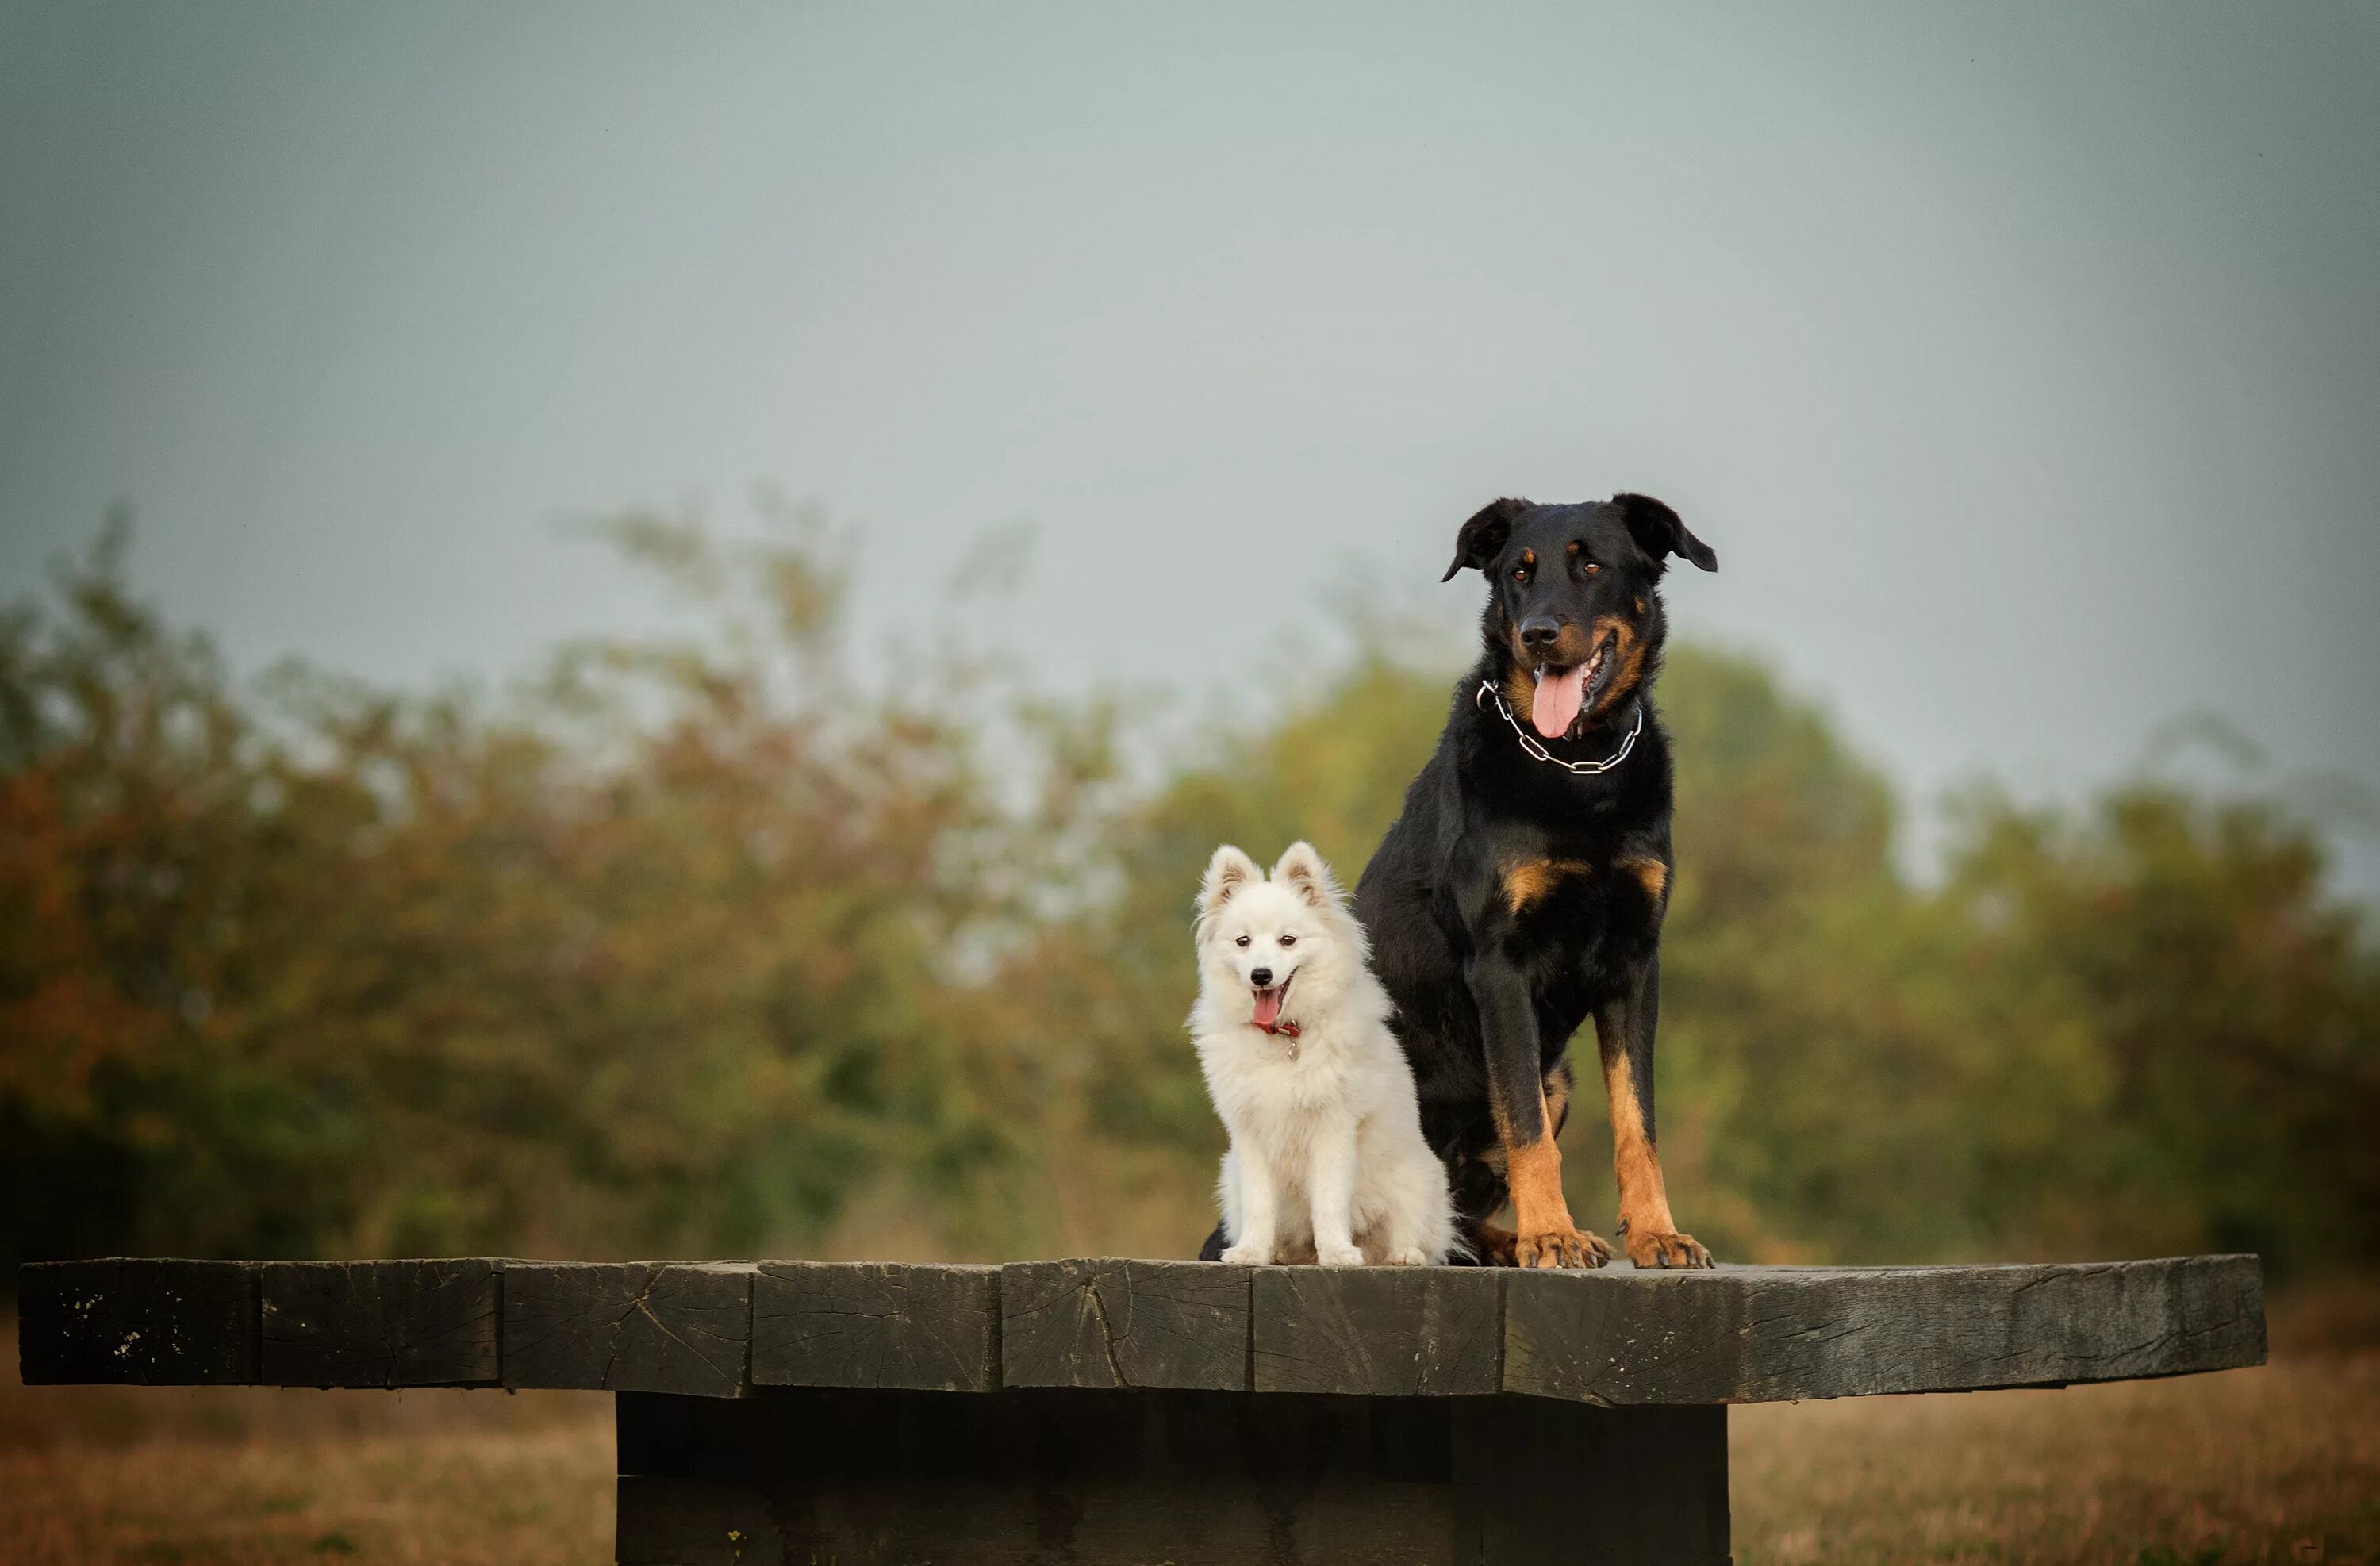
{"points": [[2022, 363]]}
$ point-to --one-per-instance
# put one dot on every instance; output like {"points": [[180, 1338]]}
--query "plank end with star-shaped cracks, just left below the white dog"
{"points": [[1125, 1324]]}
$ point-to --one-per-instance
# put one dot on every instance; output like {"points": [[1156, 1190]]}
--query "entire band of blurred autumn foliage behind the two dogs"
{"points": [[710, 948]]}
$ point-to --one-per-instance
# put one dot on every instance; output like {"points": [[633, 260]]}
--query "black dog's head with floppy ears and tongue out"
{"points": [[1574, 618]]}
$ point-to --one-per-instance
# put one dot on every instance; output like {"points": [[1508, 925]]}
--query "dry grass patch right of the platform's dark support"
{"points": [[2276, 1465]]}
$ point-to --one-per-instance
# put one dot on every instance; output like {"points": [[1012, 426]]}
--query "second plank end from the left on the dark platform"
{"points": [[382, 1324]]}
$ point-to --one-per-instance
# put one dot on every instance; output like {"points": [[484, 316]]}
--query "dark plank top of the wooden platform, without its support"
{"points": [[720, 1329]]}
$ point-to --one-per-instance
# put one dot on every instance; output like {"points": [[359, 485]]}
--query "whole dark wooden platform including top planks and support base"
{"points": [[1113, 1410]]}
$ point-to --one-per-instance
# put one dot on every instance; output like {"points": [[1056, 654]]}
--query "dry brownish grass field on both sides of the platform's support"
{"points": [[2274, 1465]]}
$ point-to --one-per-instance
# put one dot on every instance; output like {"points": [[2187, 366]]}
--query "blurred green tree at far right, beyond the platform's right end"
{"points": [[2231, 1008]]}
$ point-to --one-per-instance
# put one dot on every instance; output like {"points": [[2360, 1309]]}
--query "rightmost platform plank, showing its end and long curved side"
{"points": [[1789, 1334]]}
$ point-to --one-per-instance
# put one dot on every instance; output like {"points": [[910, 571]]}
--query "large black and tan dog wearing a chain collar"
{"points": [[1522, 889]]}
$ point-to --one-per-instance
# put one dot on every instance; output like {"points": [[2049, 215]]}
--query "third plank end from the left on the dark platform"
{"points": [[632, 1327]]}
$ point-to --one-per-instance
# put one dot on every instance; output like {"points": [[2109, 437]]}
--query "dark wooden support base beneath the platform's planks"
{"points": [[860, 1477]]}
